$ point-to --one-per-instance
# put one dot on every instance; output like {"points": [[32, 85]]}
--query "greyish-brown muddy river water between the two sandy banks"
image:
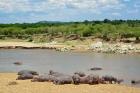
{"points": [[122, 66]]}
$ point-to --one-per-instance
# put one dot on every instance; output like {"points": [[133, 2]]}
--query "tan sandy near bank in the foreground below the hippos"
{"points": [[34, 87]]}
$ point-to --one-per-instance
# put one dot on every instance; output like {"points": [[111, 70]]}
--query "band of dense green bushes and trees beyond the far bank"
{"points": [[106, 29]]}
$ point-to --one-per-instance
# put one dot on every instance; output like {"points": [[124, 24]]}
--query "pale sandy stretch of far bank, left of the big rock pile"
{"points": [[51, 45]]}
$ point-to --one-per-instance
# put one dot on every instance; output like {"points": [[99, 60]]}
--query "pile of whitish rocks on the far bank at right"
{"points": [[109, 48]]}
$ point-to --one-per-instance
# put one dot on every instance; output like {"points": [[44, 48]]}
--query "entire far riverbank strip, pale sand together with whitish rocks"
{"points": [[104, 47]]}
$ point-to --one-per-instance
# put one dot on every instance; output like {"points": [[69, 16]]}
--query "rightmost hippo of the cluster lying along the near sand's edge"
{"points": [[111, 79]]}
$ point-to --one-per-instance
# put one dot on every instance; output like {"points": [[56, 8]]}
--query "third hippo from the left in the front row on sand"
{"points": [[64, 79]]}
